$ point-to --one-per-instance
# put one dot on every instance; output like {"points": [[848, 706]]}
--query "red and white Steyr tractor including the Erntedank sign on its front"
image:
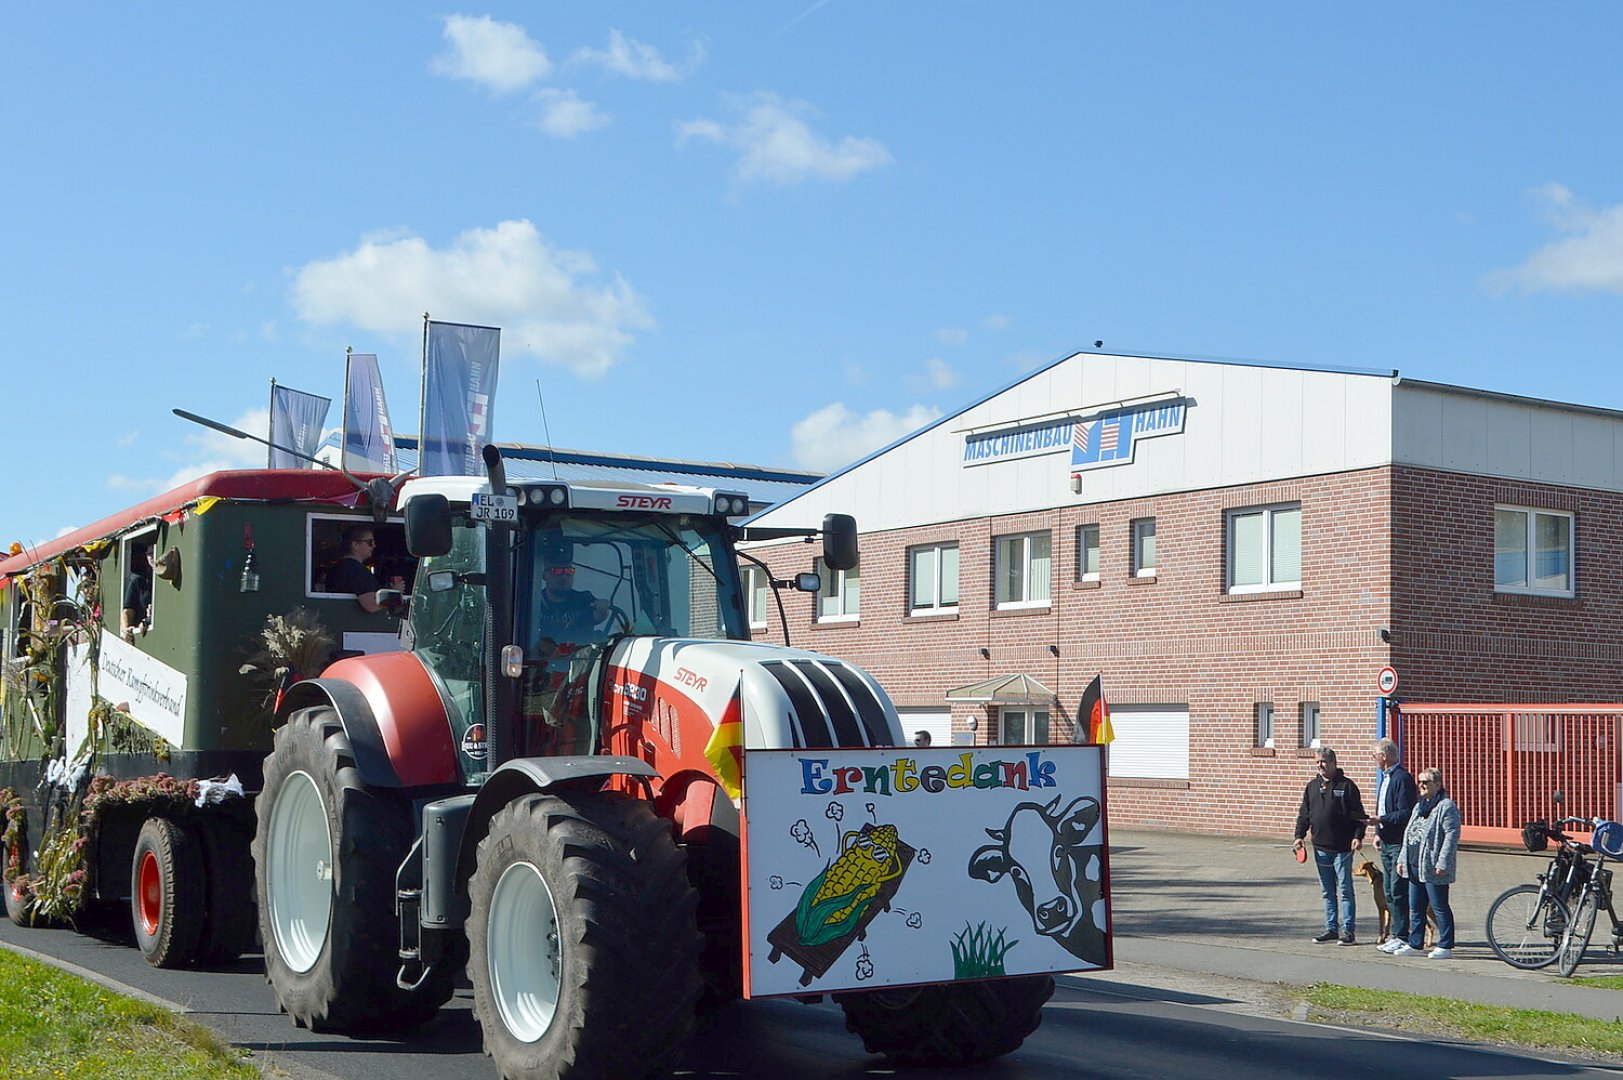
{"points": [[585, 785]]}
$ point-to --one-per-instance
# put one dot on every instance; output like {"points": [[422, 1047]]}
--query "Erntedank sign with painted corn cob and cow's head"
{"points": [[902, 866]]}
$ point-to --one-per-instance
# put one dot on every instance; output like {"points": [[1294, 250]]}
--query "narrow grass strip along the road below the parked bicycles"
{"points": [[1466, 1021]]}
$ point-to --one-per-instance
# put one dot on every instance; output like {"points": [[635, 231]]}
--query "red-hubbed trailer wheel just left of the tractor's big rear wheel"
{"points": [[166, 894]]}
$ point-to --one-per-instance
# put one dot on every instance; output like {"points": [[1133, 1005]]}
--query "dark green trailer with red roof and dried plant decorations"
{"points": [[142, 659]]}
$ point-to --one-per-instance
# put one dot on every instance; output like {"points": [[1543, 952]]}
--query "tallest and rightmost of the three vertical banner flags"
{"points": [[458, 386]]}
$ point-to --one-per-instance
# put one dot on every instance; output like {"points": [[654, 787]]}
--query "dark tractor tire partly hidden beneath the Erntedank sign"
{"points": [[955, 1024]]}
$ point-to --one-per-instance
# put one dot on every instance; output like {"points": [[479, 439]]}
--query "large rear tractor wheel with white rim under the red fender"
{"points": [[325, 855]]}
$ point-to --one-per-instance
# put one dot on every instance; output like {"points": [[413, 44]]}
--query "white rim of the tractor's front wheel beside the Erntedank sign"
{"points": [[525, 954]]}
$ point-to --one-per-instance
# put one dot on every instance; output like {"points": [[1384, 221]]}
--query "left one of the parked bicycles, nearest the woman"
{"points": [[1526, 923]]}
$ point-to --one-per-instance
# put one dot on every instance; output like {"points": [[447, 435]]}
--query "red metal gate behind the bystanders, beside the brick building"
{"points": [[1502, 764]]}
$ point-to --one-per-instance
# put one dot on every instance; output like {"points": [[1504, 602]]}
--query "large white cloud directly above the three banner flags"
{"points": [[506, 277]]}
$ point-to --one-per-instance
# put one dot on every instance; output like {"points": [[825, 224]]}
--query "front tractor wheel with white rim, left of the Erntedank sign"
{"points": [[583, 946]]}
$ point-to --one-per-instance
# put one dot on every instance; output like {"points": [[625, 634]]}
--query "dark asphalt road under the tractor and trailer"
{"points": [[1116, 1026]]}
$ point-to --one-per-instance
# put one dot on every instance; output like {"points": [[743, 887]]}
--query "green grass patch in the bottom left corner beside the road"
{"points": [[59, 1026]]}
